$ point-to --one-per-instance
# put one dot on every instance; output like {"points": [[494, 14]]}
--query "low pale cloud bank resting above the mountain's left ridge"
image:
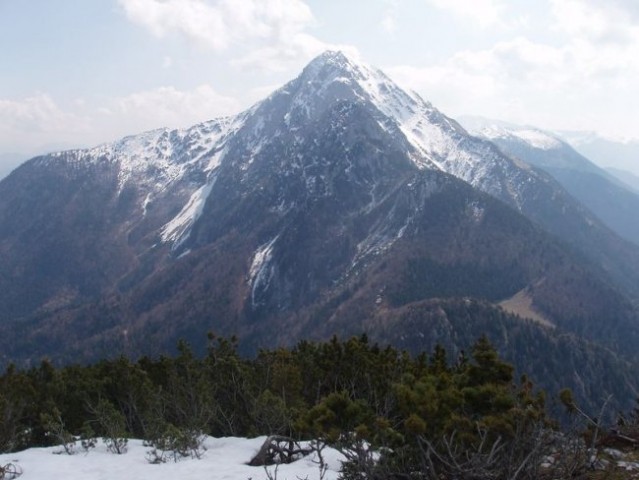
{"points": [[38, 123]]}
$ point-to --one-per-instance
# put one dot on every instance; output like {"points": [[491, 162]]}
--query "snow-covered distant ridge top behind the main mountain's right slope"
{"points": [[500, 130]]}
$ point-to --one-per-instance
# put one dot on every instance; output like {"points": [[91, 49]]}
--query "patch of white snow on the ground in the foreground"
{"points": [[225, 458]]}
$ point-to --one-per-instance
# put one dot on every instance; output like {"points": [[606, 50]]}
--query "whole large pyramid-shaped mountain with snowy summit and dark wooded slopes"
{"points": [[340, 204]]}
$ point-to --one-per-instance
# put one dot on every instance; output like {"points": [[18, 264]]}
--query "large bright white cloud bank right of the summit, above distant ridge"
{"points": [[574, 85]]}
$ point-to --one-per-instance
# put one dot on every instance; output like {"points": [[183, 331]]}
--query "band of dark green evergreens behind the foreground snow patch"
{"points": [[390, 413]]}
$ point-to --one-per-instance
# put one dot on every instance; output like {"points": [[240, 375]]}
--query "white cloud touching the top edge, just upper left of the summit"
{"points": [[272, 31]]}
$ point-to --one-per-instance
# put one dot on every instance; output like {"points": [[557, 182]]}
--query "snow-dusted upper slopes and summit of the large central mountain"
{"points": [[187, 161]]}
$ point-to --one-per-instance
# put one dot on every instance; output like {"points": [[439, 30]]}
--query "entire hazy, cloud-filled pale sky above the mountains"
{"points": [[82, 72]]}
